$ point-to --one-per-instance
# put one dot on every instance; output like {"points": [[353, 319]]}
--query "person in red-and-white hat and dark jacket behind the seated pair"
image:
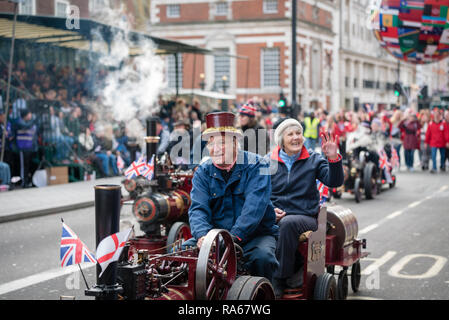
{"points": [[255, 137]]}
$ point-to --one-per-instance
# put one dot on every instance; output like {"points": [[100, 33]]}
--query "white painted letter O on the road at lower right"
{"points": [[431, 272]]}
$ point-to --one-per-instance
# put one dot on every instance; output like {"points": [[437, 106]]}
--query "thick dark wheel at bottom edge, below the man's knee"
{"points": [[251, 288]]}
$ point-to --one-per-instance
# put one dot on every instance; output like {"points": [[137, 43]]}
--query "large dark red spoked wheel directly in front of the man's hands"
{"points": [[216, 267]]}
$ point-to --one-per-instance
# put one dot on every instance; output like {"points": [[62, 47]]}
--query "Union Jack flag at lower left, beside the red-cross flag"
{"points": [[73, 250]]}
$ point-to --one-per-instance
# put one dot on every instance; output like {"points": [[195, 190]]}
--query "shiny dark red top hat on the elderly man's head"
{"points": [[220, 123]]}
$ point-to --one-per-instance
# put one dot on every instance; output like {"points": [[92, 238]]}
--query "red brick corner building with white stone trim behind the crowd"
{"points": [[261, 31]]}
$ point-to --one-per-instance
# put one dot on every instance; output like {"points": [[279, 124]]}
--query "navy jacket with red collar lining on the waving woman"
{"points": [[296, 191]]}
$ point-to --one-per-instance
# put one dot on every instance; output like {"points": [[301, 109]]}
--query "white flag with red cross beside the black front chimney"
{"points": [[110, 248]]}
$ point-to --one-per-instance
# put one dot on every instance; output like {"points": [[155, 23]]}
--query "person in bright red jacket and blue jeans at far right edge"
{"points": [[437, 137]]}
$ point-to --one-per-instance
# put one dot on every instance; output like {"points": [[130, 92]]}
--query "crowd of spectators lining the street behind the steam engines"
{"points": [[53, 117]]}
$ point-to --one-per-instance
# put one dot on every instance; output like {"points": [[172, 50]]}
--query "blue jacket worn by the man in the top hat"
{"points": [[242, 205]]}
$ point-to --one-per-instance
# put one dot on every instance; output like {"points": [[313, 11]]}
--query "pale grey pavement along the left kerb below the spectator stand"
{"points": [[32, 202]]}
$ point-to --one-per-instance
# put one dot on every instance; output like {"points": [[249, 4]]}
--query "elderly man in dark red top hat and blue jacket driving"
{"points": [[232, 191]]}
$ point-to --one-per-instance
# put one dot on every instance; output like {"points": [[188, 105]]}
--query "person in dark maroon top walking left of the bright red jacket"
{"points": [[410, 126]]}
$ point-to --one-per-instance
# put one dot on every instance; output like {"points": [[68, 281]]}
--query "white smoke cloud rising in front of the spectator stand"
{"points": [[132, 85]]}
